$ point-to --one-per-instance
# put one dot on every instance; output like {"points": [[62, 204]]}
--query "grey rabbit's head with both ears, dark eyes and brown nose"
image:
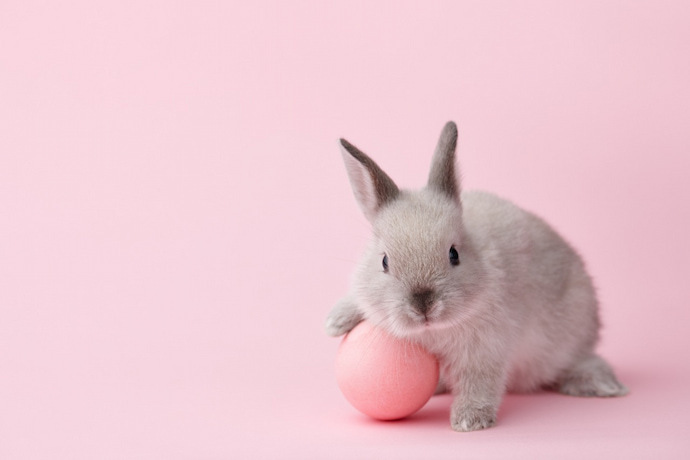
{"points": [[419, 267]]}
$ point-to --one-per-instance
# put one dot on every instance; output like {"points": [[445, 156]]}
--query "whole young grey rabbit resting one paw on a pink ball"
{"points": [[491, 290]]}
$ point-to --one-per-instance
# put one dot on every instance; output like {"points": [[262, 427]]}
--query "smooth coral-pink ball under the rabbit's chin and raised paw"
{"points": [[385, 377]]}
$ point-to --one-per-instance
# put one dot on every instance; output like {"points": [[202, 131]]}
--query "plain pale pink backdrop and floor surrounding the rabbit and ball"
{"points": [[175, 220]]}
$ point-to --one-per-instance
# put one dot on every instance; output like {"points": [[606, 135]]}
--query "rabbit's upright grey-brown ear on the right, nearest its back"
{"points": [[442, 176]]}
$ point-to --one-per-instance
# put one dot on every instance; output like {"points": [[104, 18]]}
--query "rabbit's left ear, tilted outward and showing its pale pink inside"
{"points": [[372, 187]]}
